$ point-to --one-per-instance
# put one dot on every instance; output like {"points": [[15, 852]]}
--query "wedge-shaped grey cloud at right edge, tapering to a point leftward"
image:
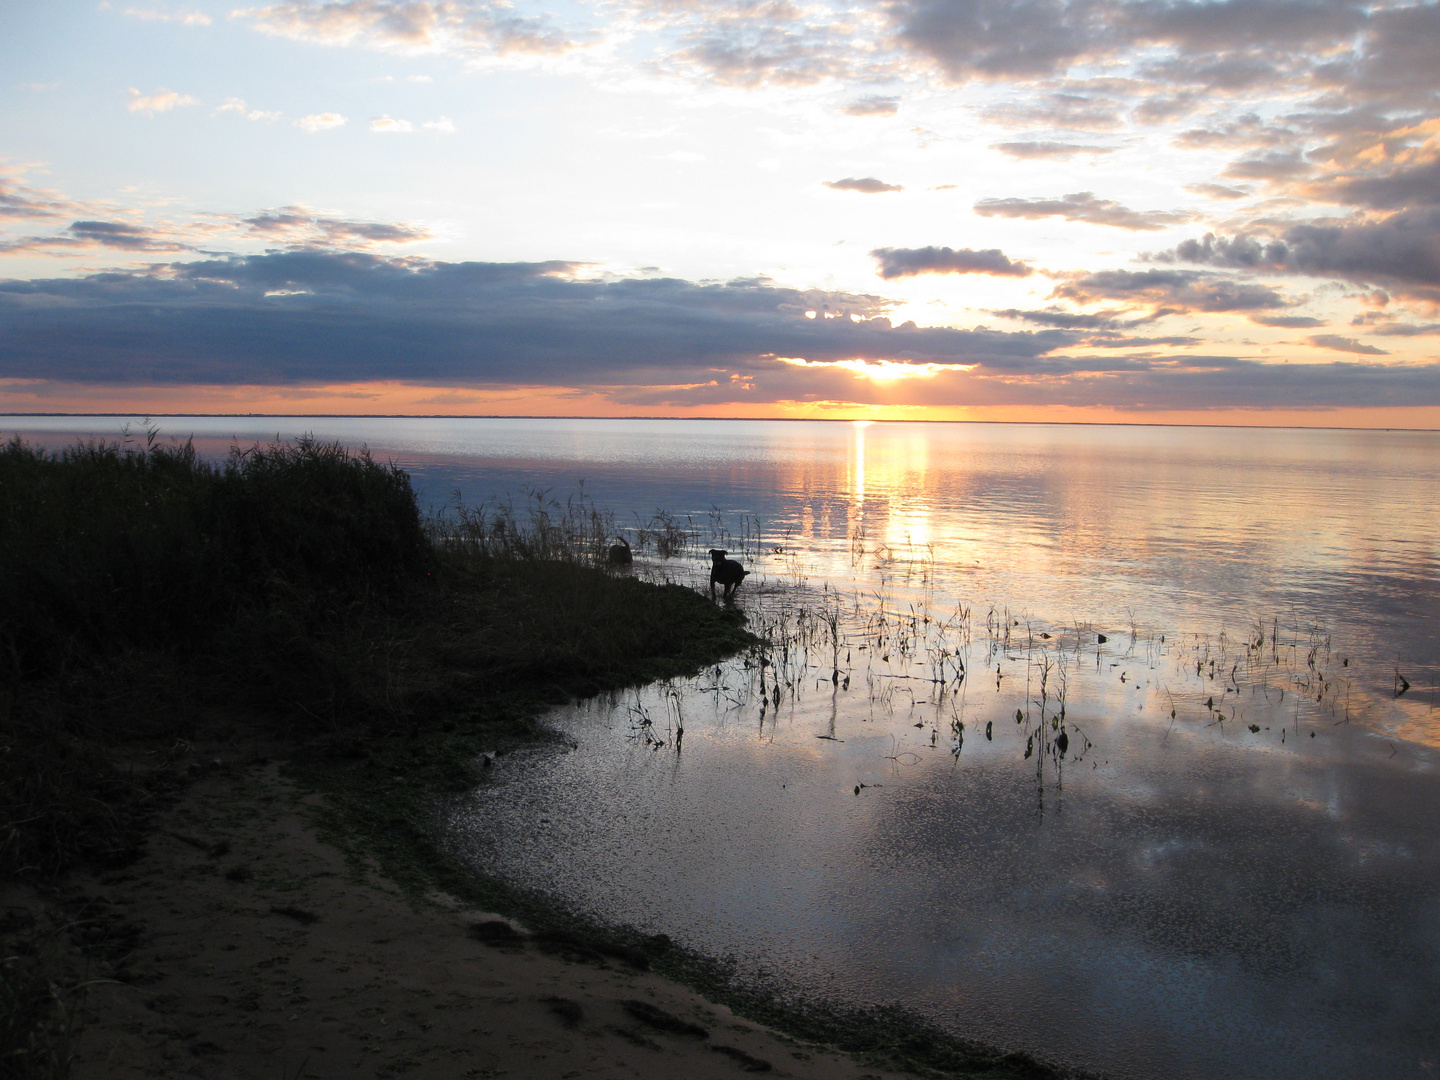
{"points": [[1402, 251]]}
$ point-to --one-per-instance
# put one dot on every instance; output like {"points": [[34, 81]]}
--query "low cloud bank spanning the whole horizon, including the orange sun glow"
{"points": [[310, 319]]}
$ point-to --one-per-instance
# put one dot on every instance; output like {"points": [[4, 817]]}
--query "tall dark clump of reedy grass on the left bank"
{"points": [[106, 545]]}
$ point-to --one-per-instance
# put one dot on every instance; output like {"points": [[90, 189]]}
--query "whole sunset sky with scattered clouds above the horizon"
{"points": [[1076, 211]]}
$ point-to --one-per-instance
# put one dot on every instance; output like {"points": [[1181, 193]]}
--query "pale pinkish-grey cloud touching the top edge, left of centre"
{"points": [[411, 27]]}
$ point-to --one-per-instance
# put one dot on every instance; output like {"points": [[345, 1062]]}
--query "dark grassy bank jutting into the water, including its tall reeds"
{"points": [[150, 597]]}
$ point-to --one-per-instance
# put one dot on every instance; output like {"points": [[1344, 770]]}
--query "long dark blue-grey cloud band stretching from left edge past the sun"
{"points": [[315, 318]]}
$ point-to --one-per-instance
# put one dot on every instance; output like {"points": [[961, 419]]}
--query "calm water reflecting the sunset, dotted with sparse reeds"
{"points": [[1228, 868]]}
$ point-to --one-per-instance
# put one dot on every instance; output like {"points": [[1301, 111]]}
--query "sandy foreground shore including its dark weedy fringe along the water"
{"points": [[260, 934]]}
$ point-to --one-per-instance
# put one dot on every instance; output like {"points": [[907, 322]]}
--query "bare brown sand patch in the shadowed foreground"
{"points": [[247, 947]]}
